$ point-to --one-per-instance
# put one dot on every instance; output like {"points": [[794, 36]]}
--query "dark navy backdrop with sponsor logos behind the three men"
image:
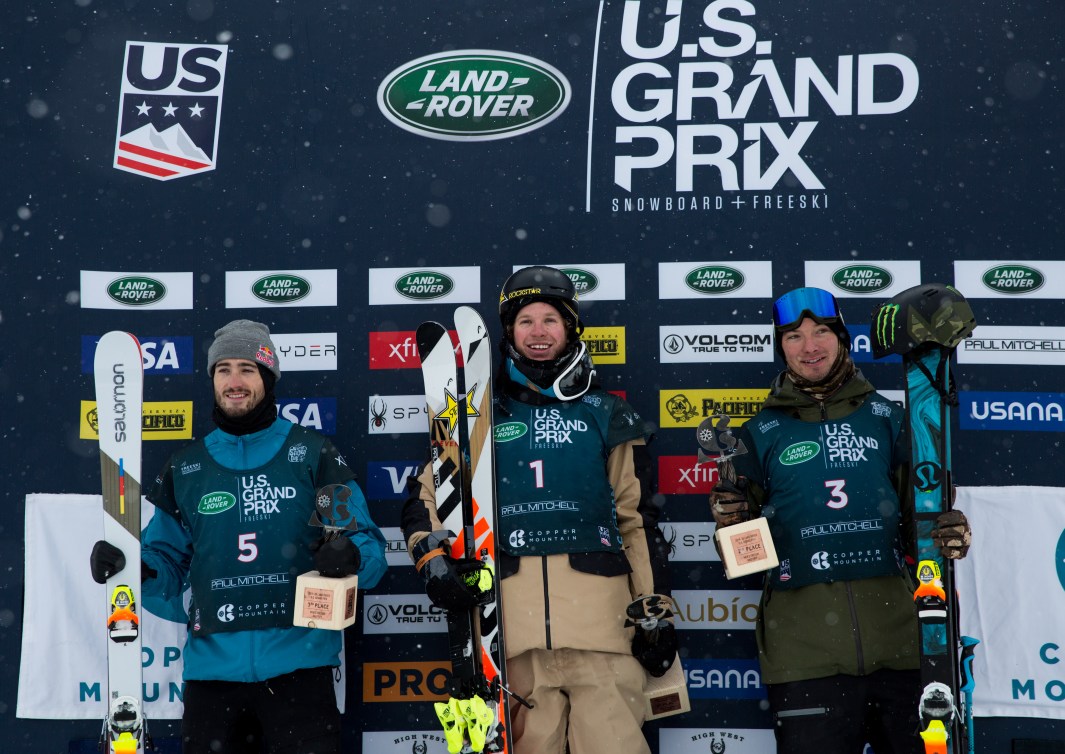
{"points": [[343, 175]]}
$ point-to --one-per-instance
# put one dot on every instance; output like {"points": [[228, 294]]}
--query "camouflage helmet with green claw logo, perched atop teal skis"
{"points": [[932, 314]]}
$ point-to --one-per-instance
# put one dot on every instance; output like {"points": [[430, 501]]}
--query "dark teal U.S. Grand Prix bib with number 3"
{"points": [[831, 504]]}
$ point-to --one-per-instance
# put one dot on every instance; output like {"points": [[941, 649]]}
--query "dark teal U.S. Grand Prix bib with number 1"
{"points": [[554, 494]]}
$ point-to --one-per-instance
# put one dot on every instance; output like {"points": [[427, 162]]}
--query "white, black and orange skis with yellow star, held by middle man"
{"points": [[477, 718]]}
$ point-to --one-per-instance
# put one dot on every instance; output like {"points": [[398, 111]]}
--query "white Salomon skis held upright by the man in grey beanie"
{"points": [[120, 387]]}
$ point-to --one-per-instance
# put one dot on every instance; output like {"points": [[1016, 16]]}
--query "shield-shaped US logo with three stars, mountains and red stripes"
{"points": [[171, 106]]}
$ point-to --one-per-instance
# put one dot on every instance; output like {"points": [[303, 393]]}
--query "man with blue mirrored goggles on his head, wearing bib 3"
{"points": [[827, 465]]}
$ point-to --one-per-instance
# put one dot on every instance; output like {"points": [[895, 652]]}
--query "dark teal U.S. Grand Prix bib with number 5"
{"points": [[252, 534]]}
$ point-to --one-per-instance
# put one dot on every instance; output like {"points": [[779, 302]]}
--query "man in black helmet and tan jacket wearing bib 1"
{"points": [[578, 531]]}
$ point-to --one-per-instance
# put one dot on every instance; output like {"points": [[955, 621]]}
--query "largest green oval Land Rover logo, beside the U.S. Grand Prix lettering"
{"points": [[473, 95]]}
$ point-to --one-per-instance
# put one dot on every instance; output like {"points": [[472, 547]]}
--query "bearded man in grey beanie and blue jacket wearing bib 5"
{"points": [[261, 472]]}
